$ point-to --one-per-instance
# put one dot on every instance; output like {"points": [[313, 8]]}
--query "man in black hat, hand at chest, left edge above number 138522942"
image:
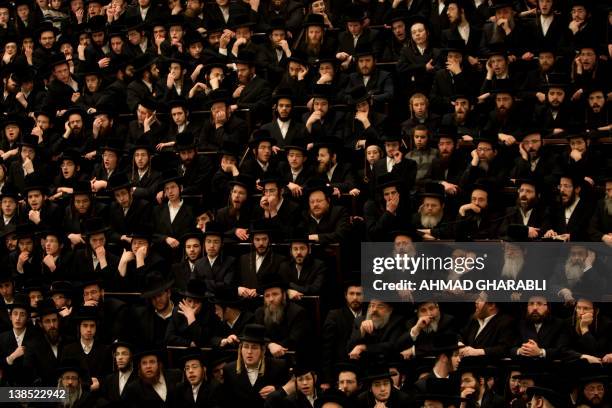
{"points": [[18, 345]]}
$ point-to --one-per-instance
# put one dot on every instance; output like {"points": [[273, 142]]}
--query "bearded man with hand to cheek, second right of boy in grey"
{"points": [[485, 164]]}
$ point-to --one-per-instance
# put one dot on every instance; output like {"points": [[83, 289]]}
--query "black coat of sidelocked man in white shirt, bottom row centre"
{"points": [[237, 389]]}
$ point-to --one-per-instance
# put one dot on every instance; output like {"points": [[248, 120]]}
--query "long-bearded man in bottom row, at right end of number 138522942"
{"points": [[72, 379]]}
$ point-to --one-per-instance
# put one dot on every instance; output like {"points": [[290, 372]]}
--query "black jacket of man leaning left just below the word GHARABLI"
{"points": [[498, 336]]}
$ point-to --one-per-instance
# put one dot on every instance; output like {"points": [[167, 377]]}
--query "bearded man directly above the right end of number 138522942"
{"points": [[51, 348]]}
